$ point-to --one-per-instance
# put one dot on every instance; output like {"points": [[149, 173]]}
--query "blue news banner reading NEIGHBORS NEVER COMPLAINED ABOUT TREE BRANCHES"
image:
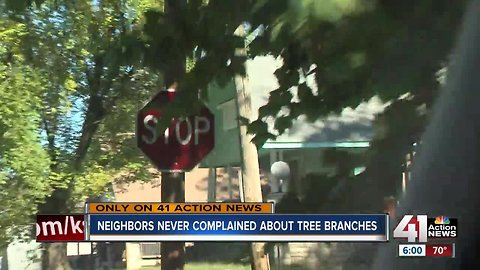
{"points": [[237, 227]]}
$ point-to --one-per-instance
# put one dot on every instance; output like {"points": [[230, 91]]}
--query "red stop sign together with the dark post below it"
{"points": [[174, 150]]}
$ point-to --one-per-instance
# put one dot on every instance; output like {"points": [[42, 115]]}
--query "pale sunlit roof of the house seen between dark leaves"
{"points": [[352, 125]]}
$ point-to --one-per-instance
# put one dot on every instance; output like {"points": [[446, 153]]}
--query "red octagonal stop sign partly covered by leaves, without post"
{"points": [[183, 144]]}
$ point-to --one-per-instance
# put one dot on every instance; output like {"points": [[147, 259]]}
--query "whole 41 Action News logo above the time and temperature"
{"points": [[420, 228]]}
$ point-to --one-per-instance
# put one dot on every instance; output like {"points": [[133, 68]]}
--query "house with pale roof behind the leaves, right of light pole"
{"points": [[303, 147]]}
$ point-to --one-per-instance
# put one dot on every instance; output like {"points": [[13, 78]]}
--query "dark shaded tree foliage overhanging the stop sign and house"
{"points": [[355, 51]]}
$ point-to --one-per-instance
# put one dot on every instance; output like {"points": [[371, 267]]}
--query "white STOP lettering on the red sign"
{"points": [[200, 125]]}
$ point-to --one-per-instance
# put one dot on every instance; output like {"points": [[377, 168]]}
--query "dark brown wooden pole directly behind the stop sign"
{"points": [[173, 183]]}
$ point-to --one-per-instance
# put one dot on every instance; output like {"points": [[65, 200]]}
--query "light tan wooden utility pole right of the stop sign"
{"points": [[251, 185]]}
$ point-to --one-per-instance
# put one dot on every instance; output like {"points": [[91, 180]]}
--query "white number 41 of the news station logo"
{"points": [[413, 228]]}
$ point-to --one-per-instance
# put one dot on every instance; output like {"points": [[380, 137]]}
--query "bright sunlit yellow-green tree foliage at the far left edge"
{"points": [[24, 163]]}
